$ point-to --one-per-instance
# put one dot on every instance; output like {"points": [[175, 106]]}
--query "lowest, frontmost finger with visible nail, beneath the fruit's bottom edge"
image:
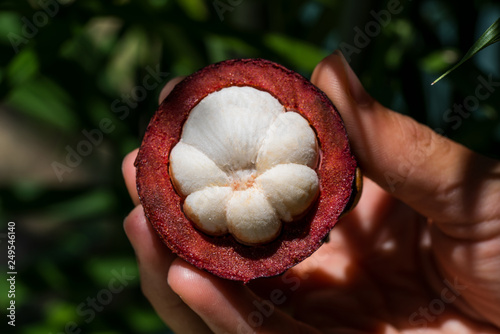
{"points": [[230, 307]]}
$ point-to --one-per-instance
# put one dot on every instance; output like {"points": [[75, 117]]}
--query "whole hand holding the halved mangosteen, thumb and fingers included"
{"points": [[419, 254]]}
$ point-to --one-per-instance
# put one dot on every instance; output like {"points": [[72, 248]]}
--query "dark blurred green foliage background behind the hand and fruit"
{"points": [[80, 59]]}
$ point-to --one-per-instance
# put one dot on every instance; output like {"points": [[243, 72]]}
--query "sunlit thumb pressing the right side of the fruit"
{"points": [[436, 176]]}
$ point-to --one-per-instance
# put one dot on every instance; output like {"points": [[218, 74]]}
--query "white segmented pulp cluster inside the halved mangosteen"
{"points": [[245, 165]]}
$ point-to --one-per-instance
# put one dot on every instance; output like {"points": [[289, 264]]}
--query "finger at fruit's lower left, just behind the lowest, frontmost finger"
{"points": [[154, 261]]}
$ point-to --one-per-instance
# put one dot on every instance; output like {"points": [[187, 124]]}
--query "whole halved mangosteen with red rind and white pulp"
{"points": [[245, 168]]}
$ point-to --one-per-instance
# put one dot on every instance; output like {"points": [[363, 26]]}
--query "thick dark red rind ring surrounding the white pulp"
{"points": [[223, 255]]}
